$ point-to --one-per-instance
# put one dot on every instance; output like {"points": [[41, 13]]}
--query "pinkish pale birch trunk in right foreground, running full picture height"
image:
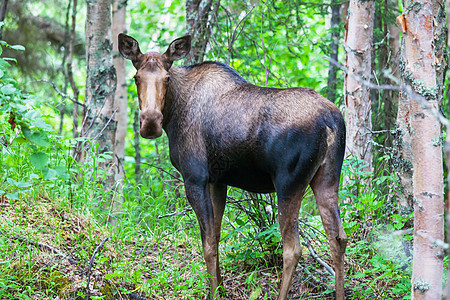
{"points": [[421, 69]]}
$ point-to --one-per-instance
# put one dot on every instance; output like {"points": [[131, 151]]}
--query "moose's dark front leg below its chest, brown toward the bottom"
{"points": [[200, 200]]}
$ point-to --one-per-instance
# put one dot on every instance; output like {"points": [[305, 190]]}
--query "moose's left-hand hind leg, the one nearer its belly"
{"points": [[288, 209]]}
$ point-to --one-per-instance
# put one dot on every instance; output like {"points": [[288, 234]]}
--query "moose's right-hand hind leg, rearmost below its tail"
{"points": [[325, 189]]}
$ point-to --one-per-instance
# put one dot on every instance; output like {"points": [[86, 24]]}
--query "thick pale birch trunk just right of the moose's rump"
{"points": [[358, 47]]}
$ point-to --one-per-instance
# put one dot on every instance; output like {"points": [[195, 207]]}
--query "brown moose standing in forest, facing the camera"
{"points": [[224, 131]]}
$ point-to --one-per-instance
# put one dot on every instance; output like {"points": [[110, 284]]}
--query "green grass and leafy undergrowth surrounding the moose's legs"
{"points": [[160, 257]]}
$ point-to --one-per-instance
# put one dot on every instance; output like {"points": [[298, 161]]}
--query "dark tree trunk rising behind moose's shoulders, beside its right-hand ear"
{"points": [[197, 25]]}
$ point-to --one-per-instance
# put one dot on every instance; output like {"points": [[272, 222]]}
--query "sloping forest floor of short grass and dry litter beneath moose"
{"points": [[56, 253]]}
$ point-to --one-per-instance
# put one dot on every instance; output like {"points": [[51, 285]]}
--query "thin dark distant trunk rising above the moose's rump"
{"points": [[334, 50]]}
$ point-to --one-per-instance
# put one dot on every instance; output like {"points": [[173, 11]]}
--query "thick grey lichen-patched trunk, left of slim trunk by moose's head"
{"points": [[100, 123]]}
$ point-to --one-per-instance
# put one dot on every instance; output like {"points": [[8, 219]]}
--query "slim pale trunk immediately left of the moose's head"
{"points": [[118, 26]]}
